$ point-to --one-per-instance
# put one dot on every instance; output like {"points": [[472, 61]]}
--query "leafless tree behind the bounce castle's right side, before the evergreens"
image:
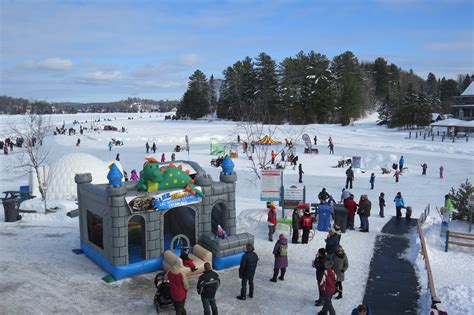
{"points": [[259, 156]]}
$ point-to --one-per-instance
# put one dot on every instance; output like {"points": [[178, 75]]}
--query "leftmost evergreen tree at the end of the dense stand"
{"points": [[196, 100]]}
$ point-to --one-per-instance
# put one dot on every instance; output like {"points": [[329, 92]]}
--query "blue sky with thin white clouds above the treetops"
{"points": [[109, 50]]}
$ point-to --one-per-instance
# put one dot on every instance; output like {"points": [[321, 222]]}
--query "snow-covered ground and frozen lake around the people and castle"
{"points": [[40, 274]]}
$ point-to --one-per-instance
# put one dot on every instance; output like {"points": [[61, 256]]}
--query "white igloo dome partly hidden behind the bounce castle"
{"points": [[61, 183]]}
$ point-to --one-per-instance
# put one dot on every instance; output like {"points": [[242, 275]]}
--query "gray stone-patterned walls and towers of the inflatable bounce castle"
{"points": [[109, 203]]}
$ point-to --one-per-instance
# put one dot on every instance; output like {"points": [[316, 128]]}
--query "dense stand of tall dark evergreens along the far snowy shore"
{"points": [[310, 88]]}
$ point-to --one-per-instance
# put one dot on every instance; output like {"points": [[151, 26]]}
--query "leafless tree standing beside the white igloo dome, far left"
{"points": [[33, 129]]}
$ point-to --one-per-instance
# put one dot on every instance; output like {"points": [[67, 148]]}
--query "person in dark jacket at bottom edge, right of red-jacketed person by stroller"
{"points": [[207, 286]]}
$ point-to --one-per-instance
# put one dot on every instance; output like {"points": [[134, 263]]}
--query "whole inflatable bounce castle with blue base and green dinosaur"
{"points": [[126, 227]]}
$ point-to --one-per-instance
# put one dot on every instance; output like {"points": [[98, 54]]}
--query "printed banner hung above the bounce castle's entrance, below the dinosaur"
{"points": [[162, 201]]}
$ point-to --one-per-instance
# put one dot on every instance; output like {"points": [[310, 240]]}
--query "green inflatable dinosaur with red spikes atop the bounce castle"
{"points": [[156, 178]]}
